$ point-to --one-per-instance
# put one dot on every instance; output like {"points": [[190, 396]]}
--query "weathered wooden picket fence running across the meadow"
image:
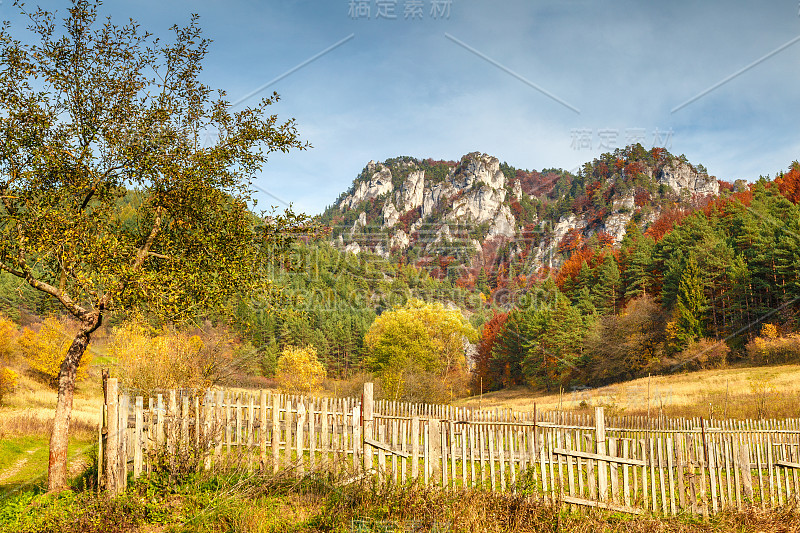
{"points": [[630, 464]]}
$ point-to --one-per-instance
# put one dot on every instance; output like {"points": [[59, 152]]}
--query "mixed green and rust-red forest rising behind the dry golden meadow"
{"points": [[698, 289]]}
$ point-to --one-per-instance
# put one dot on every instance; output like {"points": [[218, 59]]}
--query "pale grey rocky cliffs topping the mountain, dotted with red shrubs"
{"points": [[477, 206]]}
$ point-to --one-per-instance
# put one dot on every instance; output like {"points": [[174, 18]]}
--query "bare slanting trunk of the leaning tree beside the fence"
{"points": [[59, 438]]}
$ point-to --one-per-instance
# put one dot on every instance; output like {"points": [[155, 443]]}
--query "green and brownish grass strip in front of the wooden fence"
{"points": [[262, 502]]}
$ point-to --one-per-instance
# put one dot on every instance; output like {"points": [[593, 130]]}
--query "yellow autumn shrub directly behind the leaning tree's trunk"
{"points": [[46, 349]]}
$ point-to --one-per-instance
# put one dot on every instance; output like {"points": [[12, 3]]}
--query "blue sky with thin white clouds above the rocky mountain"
{"points": [[470, 79]]}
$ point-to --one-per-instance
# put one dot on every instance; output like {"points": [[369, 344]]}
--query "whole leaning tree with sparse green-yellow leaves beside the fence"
{"points": [[125, 181]]}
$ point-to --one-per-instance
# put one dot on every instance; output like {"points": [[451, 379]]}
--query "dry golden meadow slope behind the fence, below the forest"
{"points": [[755, 392]]}
